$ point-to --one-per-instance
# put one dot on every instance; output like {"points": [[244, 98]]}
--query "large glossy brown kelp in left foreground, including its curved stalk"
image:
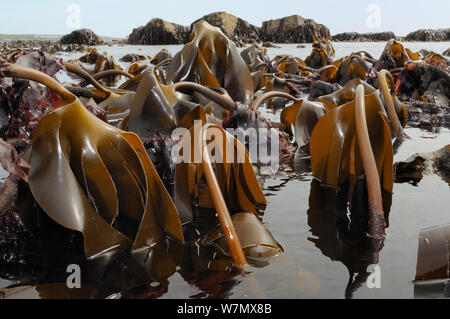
{"points": [[94, 164]]}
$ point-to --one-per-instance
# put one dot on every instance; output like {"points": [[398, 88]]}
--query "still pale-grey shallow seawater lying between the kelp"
{"points": [[308, 270]]}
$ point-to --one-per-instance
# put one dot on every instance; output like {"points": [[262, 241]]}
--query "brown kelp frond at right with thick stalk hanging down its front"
{"points": [[355, 140]]}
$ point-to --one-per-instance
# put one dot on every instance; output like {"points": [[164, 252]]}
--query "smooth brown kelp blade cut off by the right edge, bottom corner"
{"points": [[433, 260]]}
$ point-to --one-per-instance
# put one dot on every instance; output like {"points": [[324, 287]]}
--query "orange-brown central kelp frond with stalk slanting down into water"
{"points": [[231, 184]]}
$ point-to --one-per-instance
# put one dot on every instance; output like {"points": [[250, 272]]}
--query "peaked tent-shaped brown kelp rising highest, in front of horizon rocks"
{"points": [[211, 59]]}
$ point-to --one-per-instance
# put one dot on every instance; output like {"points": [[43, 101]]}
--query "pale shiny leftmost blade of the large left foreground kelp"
{"points": [[74, 211]]}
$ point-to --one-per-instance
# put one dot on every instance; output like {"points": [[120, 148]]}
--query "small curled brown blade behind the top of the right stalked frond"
{"points": [[345, 94]]}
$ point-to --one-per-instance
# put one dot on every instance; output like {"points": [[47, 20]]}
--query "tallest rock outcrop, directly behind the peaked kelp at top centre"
{"points": [[234, 28]]}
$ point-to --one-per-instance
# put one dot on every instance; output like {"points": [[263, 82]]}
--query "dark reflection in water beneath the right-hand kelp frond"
{"points": [[339, 230]]}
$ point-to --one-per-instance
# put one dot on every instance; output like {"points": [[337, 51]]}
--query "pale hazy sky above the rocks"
{"points": [[118, 17]]}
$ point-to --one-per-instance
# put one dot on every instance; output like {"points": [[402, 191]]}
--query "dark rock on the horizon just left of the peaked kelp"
{"points": [[158, 31]]}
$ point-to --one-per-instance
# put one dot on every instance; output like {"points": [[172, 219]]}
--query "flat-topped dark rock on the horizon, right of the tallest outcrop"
{"points": [[293, 29]]}
